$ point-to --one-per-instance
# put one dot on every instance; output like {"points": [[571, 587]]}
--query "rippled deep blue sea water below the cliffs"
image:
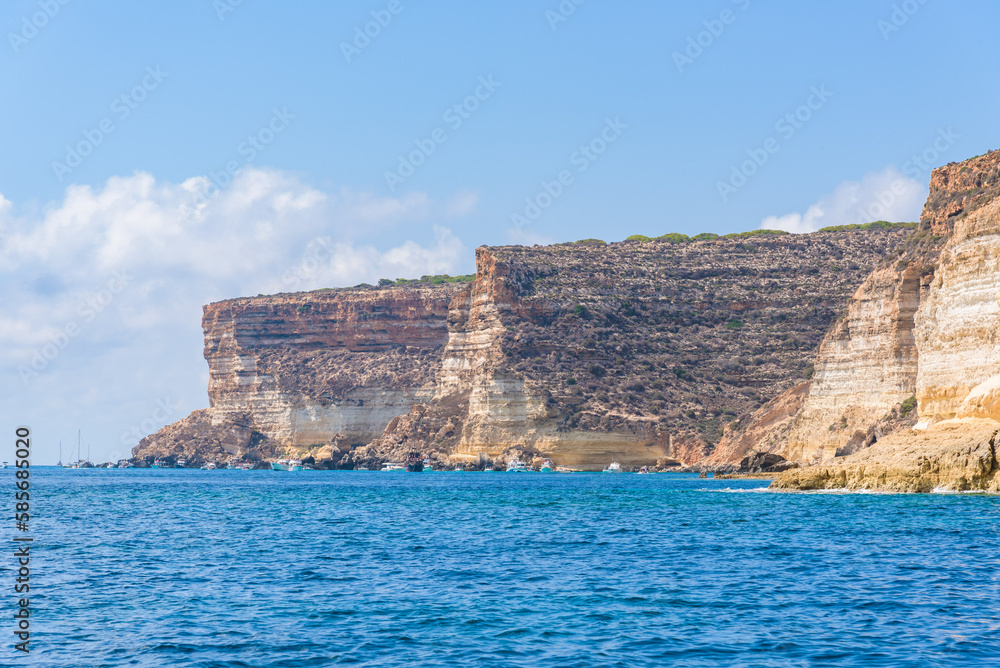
{"points": [[261, 568]]}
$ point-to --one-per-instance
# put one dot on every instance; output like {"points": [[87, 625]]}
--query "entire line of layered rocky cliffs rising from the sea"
{"points": [[856, 357]]}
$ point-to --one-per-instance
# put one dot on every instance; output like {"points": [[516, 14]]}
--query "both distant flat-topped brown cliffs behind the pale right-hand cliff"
{"points": [[586, 353]]}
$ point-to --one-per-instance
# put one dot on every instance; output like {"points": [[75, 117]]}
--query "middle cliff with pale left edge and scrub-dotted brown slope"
{"points": [[634, 352]]}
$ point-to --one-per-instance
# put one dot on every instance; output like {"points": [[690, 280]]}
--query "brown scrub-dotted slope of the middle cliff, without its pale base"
{"points": [[680, 338]]}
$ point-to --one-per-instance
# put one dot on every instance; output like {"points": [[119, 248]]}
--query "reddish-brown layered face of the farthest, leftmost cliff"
{"points": [[311, 365]]}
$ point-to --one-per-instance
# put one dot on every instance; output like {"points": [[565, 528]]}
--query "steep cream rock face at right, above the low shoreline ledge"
{"points": [[922, 324]]}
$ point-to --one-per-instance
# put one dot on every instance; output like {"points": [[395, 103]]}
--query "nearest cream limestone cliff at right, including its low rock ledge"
{"points": [[937, 318]]}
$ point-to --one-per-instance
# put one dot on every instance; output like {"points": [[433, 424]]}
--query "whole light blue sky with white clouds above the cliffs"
{"points": [[200, 77]]}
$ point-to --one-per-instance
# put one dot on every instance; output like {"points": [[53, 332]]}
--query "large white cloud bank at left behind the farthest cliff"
{"points": [[103, 290]]}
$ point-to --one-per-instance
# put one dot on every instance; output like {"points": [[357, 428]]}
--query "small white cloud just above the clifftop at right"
{"points": [[886, 195]]}
